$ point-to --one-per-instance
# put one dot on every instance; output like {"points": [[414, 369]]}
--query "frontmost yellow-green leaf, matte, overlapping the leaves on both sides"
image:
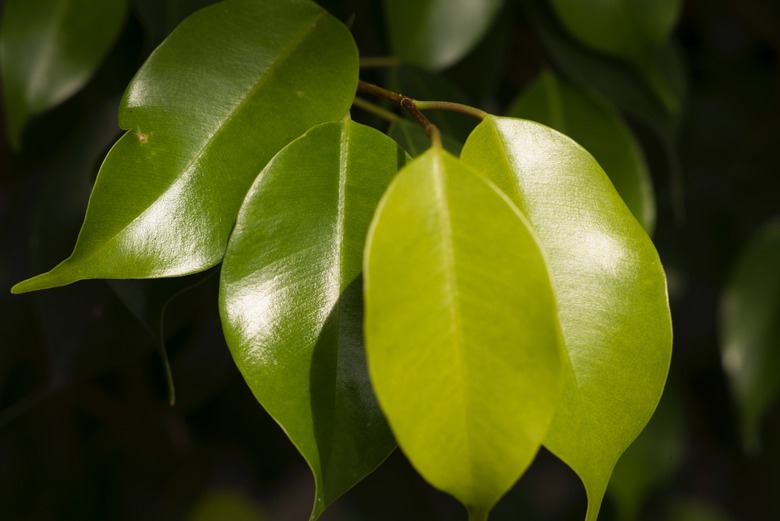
{"points": [[462, 334]]}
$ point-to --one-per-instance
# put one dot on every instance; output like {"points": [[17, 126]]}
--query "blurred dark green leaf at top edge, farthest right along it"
{"points": [[624, 28]]}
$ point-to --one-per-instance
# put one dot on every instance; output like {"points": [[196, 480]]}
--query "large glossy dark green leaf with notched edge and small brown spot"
{"points": [[230, 86]]}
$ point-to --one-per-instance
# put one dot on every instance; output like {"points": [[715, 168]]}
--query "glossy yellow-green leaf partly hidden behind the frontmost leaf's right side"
{"points": [[609, 284]]}
